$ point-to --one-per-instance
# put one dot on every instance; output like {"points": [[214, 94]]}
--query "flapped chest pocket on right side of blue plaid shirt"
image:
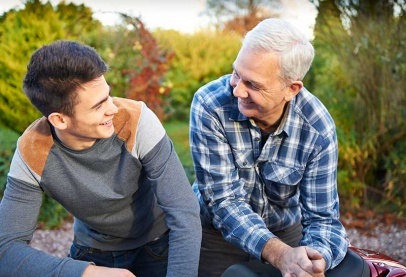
{"points": [[282, 184]]}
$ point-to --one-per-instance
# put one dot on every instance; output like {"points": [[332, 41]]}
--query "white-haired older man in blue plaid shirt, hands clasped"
{"points": [[265, 156]]}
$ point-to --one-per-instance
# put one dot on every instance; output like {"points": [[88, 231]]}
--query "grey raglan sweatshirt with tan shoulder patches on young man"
{"points": [[123, 192]]}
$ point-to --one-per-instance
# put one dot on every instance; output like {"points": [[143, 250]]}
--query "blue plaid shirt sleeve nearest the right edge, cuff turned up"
{"points": [[320, 204]]}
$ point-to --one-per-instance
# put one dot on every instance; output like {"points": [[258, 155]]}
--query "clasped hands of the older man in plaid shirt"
{"points": [[299, 261]]}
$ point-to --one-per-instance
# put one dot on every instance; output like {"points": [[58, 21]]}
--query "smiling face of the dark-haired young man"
{"points": [[92, 116]]}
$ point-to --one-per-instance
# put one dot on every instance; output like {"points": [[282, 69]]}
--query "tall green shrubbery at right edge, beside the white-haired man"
{"points": [[369, 41]]}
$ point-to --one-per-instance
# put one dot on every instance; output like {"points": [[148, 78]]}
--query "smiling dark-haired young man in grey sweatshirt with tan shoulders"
{"points": [[109, 162]]}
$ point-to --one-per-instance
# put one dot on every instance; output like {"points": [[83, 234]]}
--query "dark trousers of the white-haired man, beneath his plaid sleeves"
{"points": [[216, 254]]}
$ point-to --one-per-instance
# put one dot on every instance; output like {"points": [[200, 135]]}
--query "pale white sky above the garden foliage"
{"points": [[182, 15]]}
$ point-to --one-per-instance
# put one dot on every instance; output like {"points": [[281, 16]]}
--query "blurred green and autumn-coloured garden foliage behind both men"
{"points": [[358, 73]]}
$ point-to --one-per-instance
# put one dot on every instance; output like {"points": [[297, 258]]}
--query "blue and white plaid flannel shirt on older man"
{"points": [[247, 190]]}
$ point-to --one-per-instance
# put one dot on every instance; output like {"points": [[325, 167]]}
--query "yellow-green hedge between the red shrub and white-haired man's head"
{"points": [[199, 58]]}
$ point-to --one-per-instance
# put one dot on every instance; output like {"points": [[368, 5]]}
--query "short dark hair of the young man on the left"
{"points": [[53, 76]]}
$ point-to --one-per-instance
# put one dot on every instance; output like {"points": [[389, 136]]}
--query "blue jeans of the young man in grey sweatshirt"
{"points": [[150, 259]]}
